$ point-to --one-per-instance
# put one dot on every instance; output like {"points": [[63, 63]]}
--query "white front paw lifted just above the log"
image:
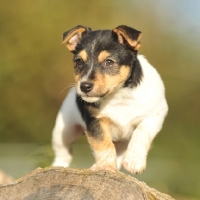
{"points": [[134, 164]]}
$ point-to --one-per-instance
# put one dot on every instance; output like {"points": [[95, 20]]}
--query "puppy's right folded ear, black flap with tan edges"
{"points": [[129, 36]]}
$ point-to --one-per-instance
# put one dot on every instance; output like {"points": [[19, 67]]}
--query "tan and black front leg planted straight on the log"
{"points": [[99, 138]]}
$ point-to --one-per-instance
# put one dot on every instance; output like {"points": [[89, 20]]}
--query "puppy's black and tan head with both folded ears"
{"points": [[104, 60]]}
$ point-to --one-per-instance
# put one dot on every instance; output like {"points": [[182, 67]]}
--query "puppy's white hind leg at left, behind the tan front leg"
{"points": [[69, 125]]}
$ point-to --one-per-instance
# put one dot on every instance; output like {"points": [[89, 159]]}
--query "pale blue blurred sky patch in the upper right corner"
{"points": [[183, 15]]}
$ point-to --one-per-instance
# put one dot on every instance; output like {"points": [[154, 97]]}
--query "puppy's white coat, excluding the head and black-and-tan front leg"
{"points": [[138, 114]]}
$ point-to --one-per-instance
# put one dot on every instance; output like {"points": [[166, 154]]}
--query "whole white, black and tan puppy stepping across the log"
{"points": [[118, 100]]}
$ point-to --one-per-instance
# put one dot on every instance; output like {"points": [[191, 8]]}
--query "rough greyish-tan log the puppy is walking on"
{"points": [[54, 183]]}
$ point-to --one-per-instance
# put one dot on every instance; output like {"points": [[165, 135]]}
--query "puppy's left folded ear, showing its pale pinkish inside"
{"points": [[73, 36]]}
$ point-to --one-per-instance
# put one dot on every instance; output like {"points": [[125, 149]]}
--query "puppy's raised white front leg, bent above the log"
{"points": [[139, 145]]}
